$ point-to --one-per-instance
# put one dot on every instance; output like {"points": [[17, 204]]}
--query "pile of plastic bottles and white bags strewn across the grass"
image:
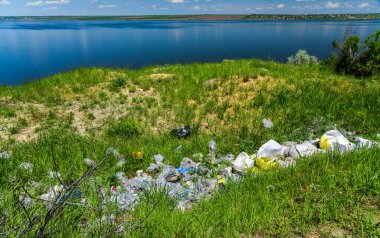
{"points": [[198, 177]]}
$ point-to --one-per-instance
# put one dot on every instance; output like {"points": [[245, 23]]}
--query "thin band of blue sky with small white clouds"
{"points": [[157, 7]]}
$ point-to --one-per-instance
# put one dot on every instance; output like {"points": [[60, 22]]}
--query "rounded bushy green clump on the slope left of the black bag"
{"points": [[124, 128]]}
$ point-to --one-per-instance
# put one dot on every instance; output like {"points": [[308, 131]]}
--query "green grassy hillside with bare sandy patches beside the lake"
{"points": [[81, 113]]}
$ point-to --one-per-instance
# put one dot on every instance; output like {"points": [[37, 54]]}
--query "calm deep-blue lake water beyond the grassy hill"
{"points": [[34, 49]]}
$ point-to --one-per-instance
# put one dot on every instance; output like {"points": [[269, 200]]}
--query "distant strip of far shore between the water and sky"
{"points": [[223, 17]]}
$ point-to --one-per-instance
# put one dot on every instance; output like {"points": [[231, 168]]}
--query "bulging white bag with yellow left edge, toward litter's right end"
{"points": [[335, 141]]}
